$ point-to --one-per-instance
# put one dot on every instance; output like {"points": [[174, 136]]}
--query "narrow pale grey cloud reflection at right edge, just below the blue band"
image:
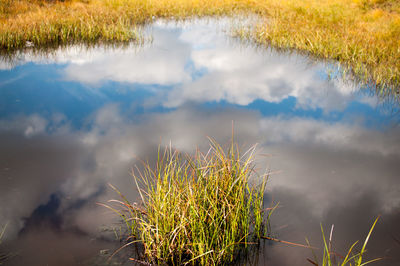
{"points": [[336, 136]]}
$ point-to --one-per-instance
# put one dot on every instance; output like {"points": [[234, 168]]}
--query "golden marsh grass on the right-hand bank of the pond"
{"points": [[362, 35]]}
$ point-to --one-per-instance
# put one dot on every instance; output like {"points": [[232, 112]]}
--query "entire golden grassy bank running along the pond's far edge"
{"points": [[362, 34]]}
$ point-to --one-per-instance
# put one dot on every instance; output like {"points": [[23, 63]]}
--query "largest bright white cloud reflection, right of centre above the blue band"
{"points": [[241, 74]]}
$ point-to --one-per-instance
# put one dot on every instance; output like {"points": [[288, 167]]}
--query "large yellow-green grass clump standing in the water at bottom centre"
{"points": [[197, 210]]}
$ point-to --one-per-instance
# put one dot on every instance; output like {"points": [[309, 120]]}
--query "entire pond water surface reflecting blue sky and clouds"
{"points": [[76, 119]]}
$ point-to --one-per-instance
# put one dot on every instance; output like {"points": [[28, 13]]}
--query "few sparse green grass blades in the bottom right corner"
{"points": [[330, 258]]}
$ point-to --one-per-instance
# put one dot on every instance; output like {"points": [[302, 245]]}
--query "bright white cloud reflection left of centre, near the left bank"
{"points": [[150, 64]]}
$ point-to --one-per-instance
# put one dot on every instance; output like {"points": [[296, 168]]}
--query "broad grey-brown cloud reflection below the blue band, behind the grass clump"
{"points": [[325, 165]]}
